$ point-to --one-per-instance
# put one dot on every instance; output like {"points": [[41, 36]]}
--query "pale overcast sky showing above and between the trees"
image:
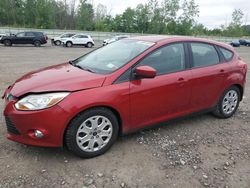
{"points": [[213, 13]]}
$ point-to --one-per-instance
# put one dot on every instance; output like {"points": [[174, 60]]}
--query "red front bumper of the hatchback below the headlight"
{"points": [[22, 124]]}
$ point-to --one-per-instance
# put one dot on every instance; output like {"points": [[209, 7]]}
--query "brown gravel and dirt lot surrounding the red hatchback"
{"points": [[199, 151]]}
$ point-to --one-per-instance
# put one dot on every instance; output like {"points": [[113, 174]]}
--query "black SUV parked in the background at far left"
{"points": [[30, 37]]}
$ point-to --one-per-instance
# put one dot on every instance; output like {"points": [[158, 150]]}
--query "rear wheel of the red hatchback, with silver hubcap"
{"points": [[228, 103]]}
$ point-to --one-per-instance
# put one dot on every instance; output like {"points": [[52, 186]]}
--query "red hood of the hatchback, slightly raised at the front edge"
{"points": [[63, 77]]}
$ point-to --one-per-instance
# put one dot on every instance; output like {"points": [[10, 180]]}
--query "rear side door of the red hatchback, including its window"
{"points": [[208, 74]]}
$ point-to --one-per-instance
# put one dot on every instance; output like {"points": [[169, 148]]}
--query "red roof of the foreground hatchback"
{"points": [[166, 39]]}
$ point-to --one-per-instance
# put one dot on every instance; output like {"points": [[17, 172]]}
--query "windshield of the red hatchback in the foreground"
{"points": [[113, 56]]}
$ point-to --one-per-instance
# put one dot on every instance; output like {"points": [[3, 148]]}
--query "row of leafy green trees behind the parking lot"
{"points": [[153, 17]]}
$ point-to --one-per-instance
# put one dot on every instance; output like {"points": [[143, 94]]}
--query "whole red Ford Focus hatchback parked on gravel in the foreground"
{"points": [[120, 88]]}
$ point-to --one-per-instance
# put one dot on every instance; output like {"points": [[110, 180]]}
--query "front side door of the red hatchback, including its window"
{"points": [[165, 96]]}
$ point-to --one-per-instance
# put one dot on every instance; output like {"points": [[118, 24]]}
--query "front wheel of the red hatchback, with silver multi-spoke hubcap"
{"points": [[99, 127]]}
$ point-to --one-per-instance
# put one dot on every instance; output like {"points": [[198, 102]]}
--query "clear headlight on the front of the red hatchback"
{"points": [[40, 101]]}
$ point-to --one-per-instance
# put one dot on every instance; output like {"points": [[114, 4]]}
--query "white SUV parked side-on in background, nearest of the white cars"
{"points": [[80, 40]]}
